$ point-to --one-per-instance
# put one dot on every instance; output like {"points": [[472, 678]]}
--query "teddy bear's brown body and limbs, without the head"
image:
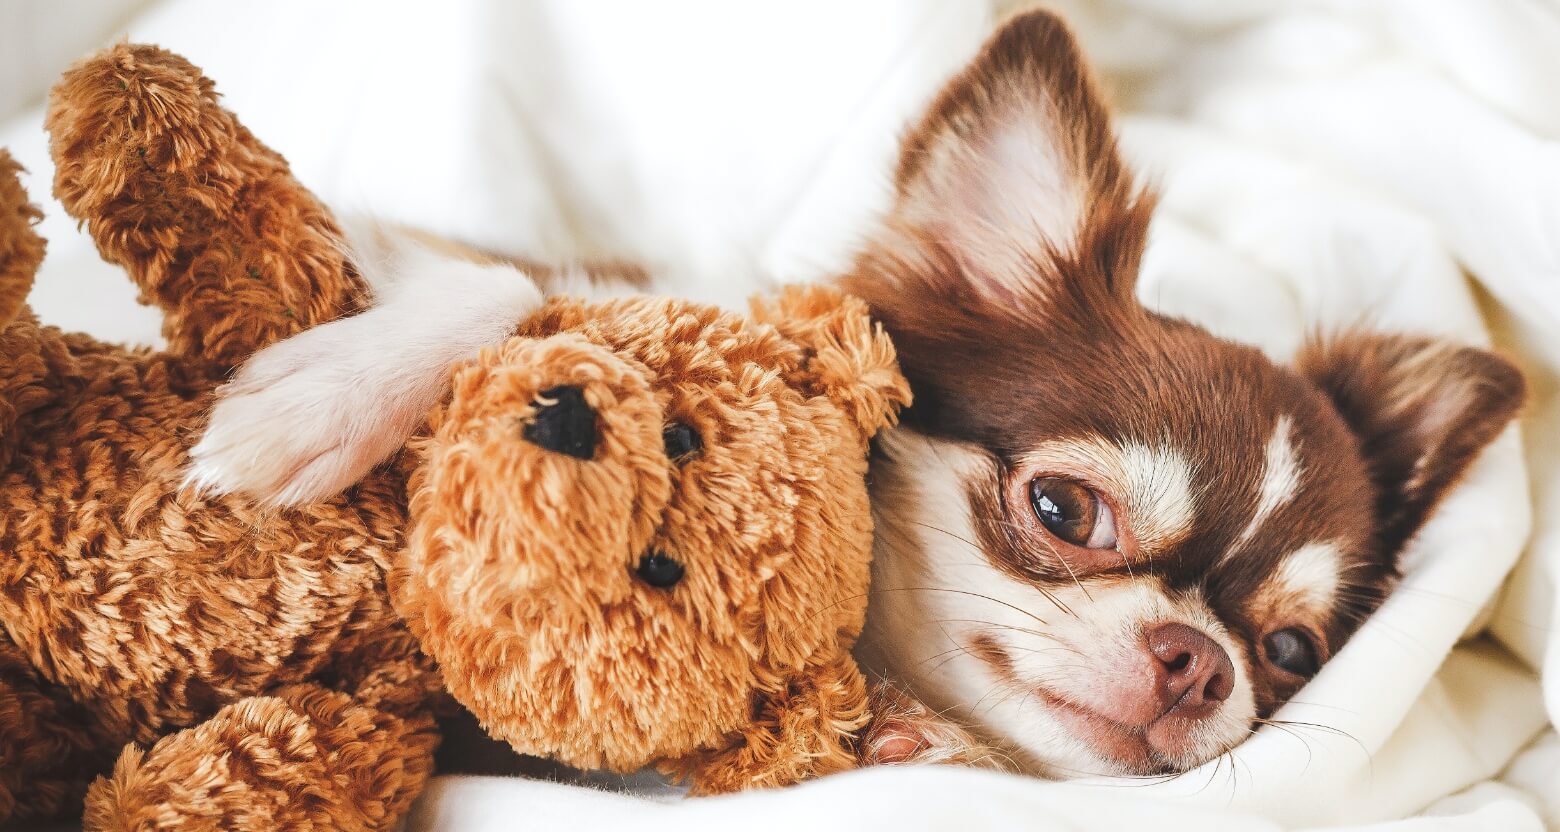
{"points": [[130, 606]]}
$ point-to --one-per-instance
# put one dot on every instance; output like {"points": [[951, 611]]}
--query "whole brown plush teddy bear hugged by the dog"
{"points": [[636, 533]]}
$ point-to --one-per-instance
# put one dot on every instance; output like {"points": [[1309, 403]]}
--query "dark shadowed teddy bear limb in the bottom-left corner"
{"points": [[48, 750]]}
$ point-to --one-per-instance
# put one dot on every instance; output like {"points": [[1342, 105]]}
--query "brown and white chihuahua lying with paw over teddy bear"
{"points": [[1108, 541]]}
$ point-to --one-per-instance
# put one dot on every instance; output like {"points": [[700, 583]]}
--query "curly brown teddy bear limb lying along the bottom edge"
{"points": [[303, 758]]}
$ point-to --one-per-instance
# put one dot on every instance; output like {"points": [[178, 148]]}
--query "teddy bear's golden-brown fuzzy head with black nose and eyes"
{"points": [[642, 533]]}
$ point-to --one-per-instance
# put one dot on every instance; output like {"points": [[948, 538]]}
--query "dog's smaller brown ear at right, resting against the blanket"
{"points": [[1422, 408]]}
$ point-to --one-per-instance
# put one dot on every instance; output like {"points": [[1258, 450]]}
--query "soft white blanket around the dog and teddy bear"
{"points": [[1324, 163]]}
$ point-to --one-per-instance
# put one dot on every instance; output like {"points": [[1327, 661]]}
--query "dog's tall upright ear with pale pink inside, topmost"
{"points": [[1012, 183]]}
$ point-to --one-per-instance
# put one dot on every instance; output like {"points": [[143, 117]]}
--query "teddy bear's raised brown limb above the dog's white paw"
{"points": [[210, 224]]}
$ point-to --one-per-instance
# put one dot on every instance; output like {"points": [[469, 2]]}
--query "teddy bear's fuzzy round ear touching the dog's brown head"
{"points": [[849, 358]]}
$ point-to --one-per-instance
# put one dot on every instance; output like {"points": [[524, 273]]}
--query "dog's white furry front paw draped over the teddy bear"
{"points": [[308, 418]]}
